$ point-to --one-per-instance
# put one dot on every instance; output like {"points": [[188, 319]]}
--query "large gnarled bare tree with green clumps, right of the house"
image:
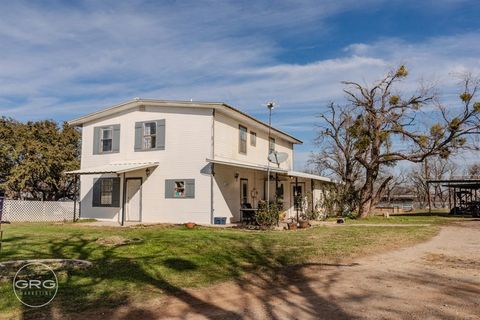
{"points": [[384, 128]]}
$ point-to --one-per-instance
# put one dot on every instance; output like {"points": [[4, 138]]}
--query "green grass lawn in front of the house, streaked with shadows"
{"points": [[164, 260]]}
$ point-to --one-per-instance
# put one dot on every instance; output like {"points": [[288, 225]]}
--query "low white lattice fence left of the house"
{"points": [[36, 211]]}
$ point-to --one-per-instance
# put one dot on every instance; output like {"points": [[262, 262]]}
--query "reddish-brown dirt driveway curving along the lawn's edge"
{"points": [[439, 279]]}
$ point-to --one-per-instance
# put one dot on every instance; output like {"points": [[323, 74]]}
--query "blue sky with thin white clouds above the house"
{"points": [[59, 60]]}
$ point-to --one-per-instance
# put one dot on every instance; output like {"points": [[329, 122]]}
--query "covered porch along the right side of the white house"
{"points": [[240, 188]]}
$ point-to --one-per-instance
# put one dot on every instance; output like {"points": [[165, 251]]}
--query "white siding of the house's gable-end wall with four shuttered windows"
{"points": [[187, 145]]}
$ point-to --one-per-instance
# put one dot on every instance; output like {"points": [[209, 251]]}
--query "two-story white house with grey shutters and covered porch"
{"points": [[177, 161]]}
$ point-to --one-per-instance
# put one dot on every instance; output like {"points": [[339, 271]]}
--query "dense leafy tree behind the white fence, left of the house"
{"points": [[37, 154]]}
